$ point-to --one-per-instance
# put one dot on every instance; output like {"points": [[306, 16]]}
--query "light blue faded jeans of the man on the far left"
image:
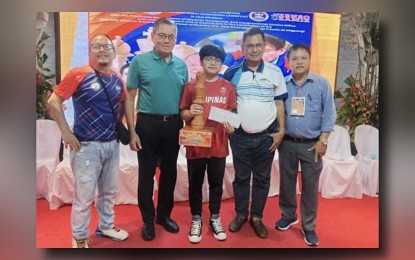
{"points": [[95, 165]]}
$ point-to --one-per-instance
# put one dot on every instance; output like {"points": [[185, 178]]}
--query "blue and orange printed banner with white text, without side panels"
{"points": [[131, 33]]}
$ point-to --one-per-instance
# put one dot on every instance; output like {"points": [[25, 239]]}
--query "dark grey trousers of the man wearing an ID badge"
{"points": [[290, 153]]}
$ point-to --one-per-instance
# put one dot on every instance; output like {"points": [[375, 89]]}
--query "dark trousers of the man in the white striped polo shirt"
{"points": [[251, 155]]}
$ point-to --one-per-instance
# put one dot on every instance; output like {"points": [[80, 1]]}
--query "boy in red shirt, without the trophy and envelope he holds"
{"points": [[221, 94]]}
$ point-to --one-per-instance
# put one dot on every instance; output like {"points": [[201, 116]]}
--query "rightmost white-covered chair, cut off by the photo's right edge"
{"points": [[367, 146]]}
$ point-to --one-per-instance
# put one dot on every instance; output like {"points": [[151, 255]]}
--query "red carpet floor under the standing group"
{"points": [[341, 223]]}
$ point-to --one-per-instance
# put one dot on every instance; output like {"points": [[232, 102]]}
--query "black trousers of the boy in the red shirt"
{"points": [[196, 168]]}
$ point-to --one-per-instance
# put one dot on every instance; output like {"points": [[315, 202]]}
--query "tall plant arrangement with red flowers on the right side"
{"points": [[358, 102]]}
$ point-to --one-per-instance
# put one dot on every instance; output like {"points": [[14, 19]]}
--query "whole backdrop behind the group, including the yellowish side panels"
{"points": [[130, 33]]}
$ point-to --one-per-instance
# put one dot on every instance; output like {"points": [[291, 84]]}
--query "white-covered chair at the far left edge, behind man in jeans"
{"points": [[48, 142]]}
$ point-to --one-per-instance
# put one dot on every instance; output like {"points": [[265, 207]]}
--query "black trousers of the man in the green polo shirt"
{"points": [[159, 140]]}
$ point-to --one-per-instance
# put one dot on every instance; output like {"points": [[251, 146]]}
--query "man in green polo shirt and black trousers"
{"points": [[159, 77]]}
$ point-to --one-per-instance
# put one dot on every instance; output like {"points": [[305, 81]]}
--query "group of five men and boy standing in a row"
{"points": [[271, 119]]}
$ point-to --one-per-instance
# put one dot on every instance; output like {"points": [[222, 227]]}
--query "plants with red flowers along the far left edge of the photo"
{"points": [[44, 84]]}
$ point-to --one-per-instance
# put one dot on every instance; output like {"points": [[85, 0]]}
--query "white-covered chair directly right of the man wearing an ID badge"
{"points": [[340, 175]]}
